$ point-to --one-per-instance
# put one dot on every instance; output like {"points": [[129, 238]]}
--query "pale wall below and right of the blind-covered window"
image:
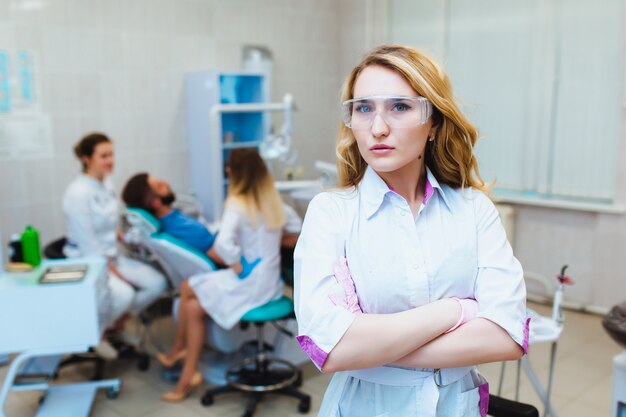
{"points": [[593, 244]]}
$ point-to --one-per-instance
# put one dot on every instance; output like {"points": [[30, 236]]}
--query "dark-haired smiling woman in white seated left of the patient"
{"points": [[91, 211]]}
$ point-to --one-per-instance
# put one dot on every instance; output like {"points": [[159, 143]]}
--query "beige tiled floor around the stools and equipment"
{"points": [[582, 386]]}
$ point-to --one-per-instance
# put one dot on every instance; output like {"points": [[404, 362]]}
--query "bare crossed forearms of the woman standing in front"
{"points": [[415, 338]]}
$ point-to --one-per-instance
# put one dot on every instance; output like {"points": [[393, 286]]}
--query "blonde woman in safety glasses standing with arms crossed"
{"points": [[417, 241]]}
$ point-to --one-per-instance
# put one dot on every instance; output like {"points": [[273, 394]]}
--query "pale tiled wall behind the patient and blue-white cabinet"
{"points": [[118, 65]]}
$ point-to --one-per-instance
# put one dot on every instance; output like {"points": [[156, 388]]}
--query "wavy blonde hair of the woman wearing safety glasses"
{"points": [[450, 156]]}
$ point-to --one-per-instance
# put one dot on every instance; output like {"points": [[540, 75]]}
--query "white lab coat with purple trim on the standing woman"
{"points": [[456, 247]]}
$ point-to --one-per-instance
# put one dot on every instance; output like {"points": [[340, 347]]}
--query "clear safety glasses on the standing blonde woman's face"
{"points": [[396, 111]]}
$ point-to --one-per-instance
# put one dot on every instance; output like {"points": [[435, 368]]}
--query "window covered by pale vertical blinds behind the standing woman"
{"points": [[542, 80]]}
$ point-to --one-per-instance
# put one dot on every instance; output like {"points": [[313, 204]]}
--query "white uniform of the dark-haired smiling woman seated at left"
{"points": [[91, 213]]}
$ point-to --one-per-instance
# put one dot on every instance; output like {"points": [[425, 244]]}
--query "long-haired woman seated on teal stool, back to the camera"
{"points": [[254, 223]]}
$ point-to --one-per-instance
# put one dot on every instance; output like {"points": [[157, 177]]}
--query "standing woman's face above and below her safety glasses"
{"points": [[384, 148]]}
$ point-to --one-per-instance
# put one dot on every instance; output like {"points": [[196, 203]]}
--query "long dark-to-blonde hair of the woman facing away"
{"points": [[251, 189]]}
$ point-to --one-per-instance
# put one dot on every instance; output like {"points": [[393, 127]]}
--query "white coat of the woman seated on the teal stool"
{"points": [[224, 296]]}
